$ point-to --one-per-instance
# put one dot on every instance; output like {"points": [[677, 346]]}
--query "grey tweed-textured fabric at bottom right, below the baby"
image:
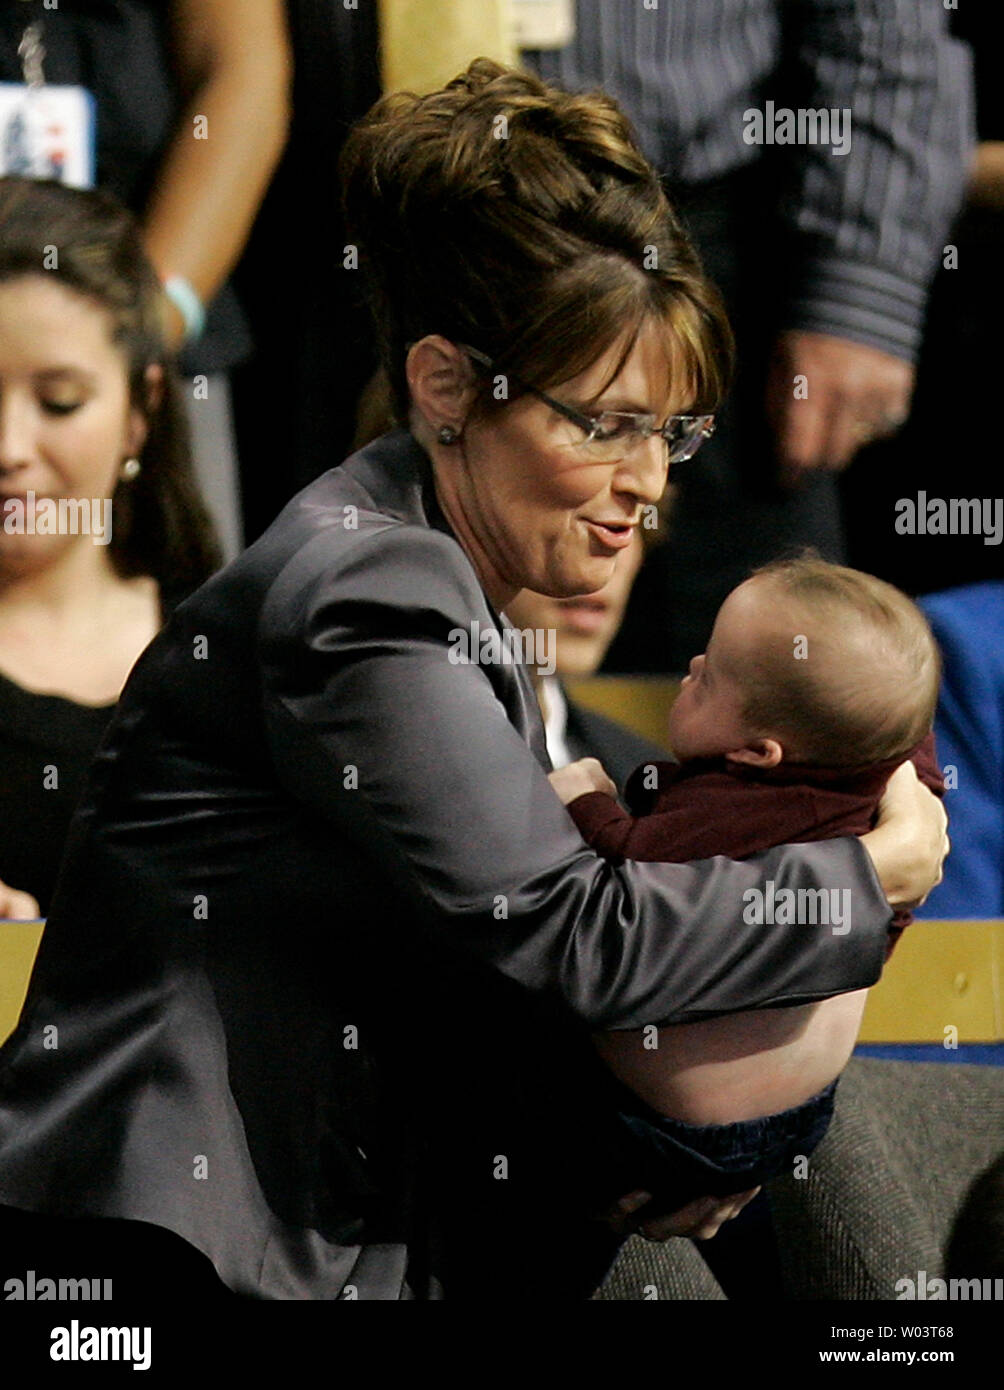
{"points": [[881, 1195]]}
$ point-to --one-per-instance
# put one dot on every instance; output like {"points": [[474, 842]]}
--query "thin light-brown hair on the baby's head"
{"points": [[836, 717]]}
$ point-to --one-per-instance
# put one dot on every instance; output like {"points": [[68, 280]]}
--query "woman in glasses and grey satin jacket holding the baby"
{"points": [[325, 924]]}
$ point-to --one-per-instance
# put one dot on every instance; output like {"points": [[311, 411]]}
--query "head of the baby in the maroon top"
{"points": [[813, 664]]}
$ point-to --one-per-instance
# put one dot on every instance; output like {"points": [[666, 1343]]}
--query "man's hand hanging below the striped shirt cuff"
{"points": [[850, 397]]}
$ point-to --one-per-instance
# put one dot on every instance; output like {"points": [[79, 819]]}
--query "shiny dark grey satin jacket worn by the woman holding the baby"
{"points": [[323, 928]]}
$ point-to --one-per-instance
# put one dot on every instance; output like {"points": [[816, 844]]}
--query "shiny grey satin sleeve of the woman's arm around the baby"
{"points": [[362, 690]]}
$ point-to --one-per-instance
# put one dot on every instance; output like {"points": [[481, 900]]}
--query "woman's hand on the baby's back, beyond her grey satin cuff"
{"points": [[910, 840]]}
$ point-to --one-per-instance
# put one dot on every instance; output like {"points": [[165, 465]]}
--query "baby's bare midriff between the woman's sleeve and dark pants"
{"points": [[740, 1067]]}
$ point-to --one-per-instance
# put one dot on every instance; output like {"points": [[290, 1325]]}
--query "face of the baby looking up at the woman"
{"points": [[707, 717]]}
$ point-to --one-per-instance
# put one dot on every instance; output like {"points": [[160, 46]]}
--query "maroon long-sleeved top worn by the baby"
{"points": [[711, 807]]}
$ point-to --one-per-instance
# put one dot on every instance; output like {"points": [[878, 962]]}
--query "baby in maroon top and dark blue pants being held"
{"points": [[818, 682]]}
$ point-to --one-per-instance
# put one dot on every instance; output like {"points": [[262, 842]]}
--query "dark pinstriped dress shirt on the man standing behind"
{"points": [[870, 226]]}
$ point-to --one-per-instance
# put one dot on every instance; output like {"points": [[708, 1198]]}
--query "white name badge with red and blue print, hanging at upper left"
{"points": [[48, 133]]}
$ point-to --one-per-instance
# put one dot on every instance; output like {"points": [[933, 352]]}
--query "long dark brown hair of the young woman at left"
{"points": [[94, 247]]}
